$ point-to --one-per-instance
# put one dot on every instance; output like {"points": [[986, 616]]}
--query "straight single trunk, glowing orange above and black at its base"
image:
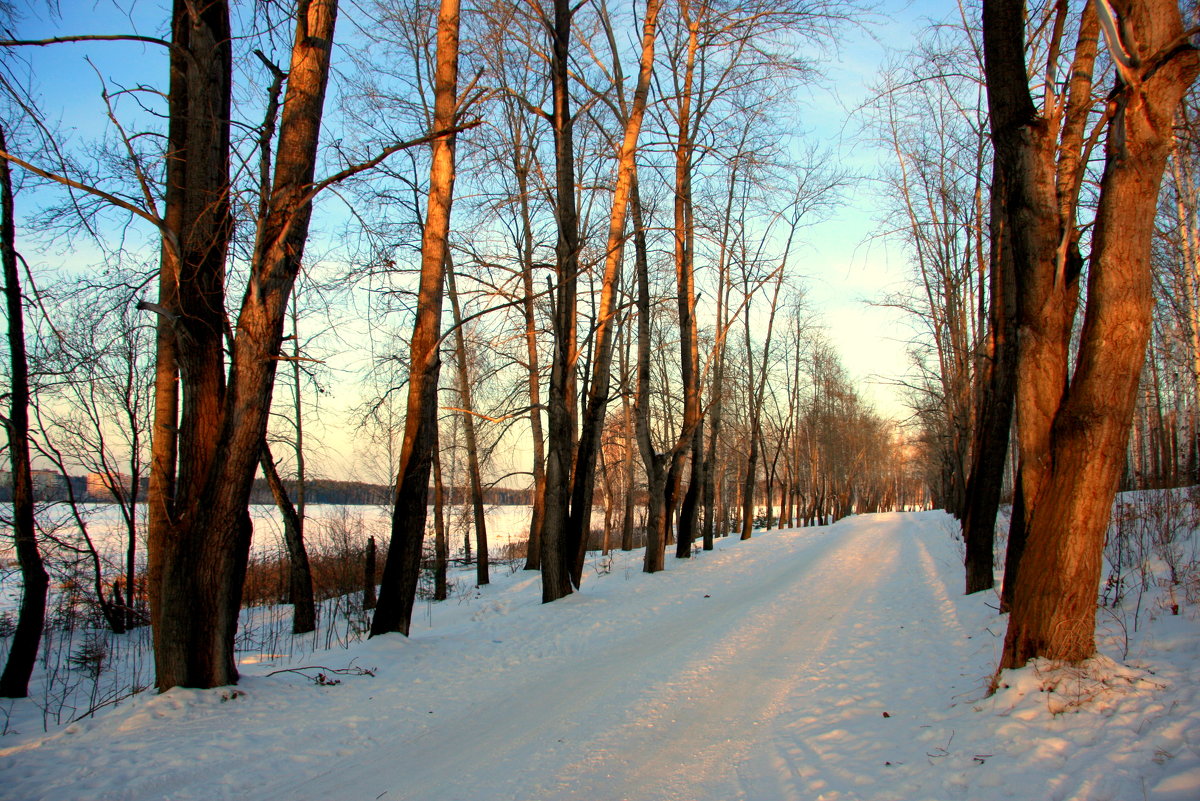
{"points": [[398, 592]]}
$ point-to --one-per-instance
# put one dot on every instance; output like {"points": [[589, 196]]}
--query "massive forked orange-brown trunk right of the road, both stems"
{"points": [[1073, 438]]}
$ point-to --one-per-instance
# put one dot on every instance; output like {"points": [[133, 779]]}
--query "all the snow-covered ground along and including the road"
{"points": [[829, 664]]}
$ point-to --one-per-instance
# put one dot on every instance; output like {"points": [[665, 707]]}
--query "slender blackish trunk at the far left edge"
{"points": [[35, 583]]}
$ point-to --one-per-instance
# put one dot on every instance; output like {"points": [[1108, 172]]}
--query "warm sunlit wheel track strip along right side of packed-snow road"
{"points": [[710, 718]]}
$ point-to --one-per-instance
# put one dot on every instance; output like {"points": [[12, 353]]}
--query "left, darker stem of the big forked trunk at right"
{"points": [[1043, 239]]}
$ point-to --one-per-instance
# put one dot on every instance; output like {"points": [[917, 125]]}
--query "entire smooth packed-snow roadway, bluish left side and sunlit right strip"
{"points": [[680, 701]]}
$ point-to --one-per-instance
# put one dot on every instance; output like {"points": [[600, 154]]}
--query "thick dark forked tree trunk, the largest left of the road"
{"points": [[223, 424]]}
